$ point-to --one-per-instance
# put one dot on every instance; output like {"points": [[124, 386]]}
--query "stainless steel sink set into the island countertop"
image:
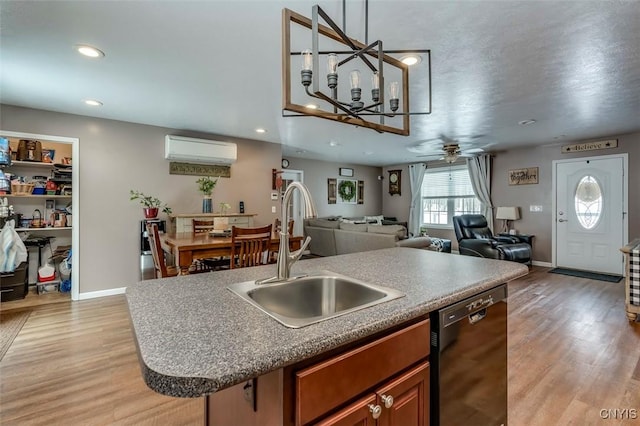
{"points": [[306, 300]]}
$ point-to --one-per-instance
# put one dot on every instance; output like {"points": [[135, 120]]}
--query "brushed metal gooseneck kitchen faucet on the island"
{"points": [[286, 259]]}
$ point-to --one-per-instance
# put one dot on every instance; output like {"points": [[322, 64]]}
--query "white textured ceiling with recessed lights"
{"points": [[215, 66]]}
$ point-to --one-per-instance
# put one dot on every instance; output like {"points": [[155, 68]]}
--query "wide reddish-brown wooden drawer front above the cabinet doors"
{"points": [[330, 383]]}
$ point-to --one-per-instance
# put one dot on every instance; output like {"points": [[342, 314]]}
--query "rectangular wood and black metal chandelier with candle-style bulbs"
{"points": [[331, 100]]}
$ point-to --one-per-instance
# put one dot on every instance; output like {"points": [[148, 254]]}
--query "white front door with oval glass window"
{"points": [[590, 218]]}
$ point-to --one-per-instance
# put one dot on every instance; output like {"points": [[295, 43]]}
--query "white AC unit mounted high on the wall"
{"points": [[199, 151]]}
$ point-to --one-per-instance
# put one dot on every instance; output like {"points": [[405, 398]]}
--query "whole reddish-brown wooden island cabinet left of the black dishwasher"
{"points": [[388, 374]]}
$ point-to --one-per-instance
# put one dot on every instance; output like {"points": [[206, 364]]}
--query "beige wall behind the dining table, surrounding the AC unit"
{"points": [[117, 156]]}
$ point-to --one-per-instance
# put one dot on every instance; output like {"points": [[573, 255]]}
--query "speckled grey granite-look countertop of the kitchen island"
{"points": [[196, 337]]}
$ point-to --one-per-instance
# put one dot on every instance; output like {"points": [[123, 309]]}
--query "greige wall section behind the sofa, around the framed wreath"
{"points": [[316, 174]]}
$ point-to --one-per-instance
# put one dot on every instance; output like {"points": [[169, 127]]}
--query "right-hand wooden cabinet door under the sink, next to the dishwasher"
{"points": [[410, 393]]}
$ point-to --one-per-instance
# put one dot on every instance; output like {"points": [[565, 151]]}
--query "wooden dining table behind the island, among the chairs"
{"points": [[187, 246]]}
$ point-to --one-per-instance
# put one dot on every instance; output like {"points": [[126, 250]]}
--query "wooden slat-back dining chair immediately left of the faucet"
{"points": [[250, 246]]}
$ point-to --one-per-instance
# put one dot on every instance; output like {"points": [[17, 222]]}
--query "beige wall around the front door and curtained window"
{"points": [[538, 224]]}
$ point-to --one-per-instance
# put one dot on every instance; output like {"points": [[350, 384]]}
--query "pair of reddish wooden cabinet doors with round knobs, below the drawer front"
{"points": [[402, 401]]}
